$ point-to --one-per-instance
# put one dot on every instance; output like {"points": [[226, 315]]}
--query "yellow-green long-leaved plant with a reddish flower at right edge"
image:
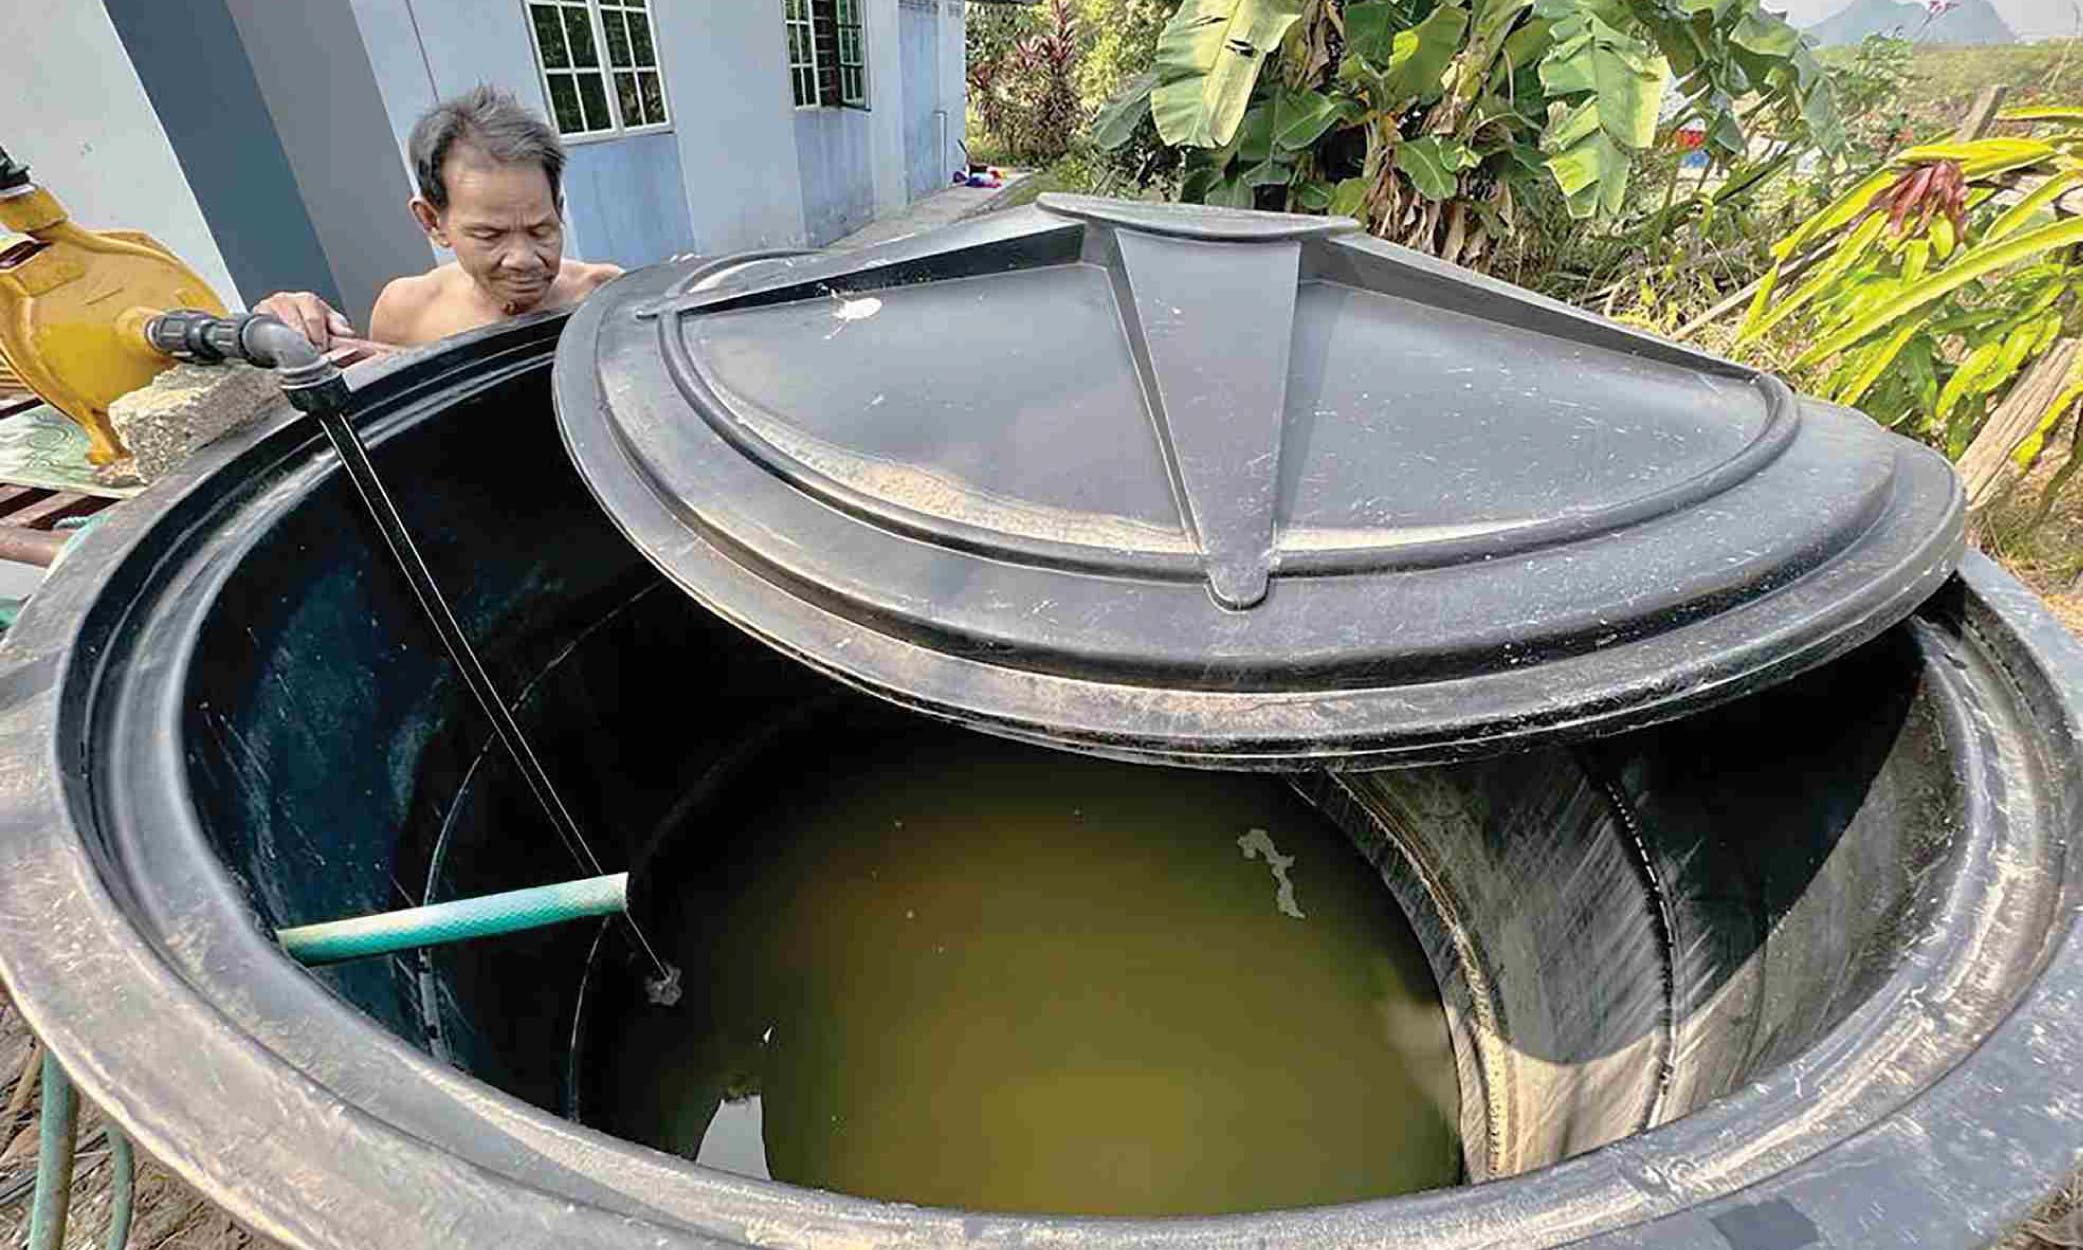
{"points": [[1936, 282]]}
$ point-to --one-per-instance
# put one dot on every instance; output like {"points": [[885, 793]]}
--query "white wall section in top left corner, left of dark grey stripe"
{"points": [[80, 118]]}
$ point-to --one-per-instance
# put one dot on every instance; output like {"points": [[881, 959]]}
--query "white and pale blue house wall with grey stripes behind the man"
{"points": [[741, 168]]}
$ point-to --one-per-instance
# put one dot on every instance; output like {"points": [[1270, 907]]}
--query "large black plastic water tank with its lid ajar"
{"points": [[1792, 970]]}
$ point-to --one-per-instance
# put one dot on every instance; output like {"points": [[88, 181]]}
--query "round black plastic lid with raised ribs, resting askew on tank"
{"points": [[1234, 489]]}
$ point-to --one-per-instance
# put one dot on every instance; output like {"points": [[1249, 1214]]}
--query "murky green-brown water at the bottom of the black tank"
{"points": [[957, 972]]}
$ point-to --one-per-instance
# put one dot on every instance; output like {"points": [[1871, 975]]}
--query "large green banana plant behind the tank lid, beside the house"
{"points": [[1424, 116]]}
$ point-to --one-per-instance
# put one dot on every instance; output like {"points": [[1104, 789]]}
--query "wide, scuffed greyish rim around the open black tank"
{"points": [[101, 993]]}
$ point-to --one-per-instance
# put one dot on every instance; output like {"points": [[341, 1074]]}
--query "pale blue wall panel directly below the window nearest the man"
{"points": [[626, 201]]}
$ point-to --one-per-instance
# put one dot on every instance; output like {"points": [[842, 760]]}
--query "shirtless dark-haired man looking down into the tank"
{"points": [[491, 191]]}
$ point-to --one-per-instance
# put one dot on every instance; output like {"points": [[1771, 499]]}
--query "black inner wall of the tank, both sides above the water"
{"points": [[1622, 932]]}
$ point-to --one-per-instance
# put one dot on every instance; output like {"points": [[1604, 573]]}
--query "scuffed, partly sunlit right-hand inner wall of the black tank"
{"points": [[1630, 930]]}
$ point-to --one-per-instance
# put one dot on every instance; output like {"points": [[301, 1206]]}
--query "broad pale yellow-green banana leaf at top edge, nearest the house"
{"points": [[1207, 64]]}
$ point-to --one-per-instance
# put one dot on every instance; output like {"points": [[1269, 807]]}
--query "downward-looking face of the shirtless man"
{"points": [[503, 226]]}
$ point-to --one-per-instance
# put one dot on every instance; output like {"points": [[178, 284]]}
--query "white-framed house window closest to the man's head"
{"points": [[599, 66]]}
